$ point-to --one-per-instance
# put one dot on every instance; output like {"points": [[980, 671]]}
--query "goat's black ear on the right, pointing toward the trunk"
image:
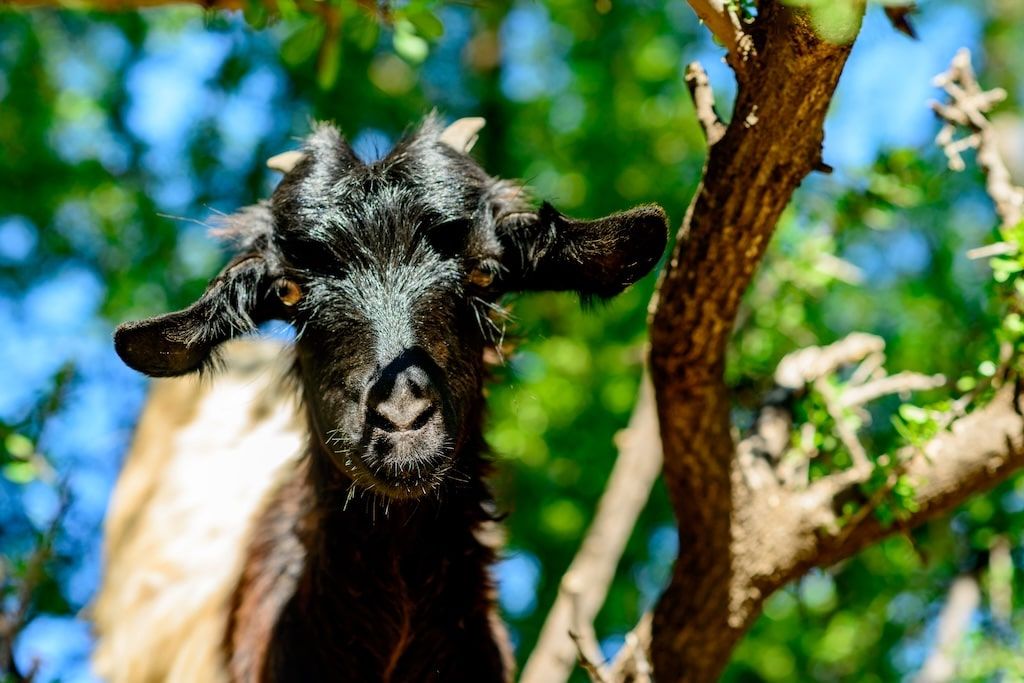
{"points": [[547, 250]]}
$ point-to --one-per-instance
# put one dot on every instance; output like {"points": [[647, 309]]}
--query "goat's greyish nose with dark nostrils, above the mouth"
{"points": [[402, 402]]}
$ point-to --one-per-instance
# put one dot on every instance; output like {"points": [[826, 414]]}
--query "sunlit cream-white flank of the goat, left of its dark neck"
{"points": [[204, 458]]}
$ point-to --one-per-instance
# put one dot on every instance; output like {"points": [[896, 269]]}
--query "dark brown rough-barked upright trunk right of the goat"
{"points": [[774, 142]]}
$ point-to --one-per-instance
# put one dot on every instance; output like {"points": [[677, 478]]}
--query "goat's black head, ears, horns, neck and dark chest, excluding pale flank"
{"points": [[366, 560]]}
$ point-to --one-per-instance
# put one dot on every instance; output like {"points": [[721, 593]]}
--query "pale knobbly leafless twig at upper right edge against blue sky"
{"points": [[967, 109]]}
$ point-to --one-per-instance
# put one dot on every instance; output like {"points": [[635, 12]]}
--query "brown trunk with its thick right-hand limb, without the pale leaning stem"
{"points": [[747, 527]]}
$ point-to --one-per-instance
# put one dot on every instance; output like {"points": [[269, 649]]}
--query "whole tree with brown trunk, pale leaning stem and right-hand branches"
{"points": [[754, 515]]}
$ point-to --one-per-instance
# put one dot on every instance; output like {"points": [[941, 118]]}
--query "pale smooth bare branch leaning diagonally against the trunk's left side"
{"points": [[586, 583]]}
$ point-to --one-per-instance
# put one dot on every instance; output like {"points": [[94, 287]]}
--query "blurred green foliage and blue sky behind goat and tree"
{"points": [[121, 135]]}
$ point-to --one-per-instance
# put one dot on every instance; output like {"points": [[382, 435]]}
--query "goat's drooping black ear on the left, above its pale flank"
{"points": [[184, 341]]}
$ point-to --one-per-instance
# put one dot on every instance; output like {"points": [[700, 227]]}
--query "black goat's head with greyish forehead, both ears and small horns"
{"points": [[392, 274]]}
